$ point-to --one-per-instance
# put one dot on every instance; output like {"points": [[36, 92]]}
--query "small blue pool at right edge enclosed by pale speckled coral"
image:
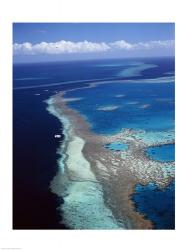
{"points": [[162, 153]]}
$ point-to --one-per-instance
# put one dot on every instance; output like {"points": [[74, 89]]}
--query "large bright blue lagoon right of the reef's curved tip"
{"points": [[157, 114]]}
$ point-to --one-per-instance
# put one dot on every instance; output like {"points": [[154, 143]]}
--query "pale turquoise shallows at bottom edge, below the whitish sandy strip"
{"points": [[84, 208]]}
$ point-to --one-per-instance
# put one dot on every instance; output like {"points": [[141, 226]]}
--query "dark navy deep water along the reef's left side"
{"points": [[34, 159]]}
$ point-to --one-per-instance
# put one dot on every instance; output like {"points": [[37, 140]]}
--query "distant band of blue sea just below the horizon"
{"points": [[58, 72]]}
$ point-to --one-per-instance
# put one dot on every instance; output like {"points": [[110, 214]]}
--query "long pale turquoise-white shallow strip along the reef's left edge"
{"points": [[83, 206]]}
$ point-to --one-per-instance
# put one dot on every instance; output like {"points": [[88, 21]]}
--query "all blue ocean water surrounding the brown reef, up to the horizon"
{"points": [[111, 95]]}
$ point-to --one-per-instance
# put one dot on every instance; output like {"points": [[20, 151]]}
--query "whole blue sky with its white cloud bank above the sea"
{"points": [[38, 42]]}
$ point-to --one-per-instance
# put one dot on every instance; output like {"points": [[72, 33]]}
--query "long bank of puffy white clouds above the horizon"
{"points": [[67, 47]]}
